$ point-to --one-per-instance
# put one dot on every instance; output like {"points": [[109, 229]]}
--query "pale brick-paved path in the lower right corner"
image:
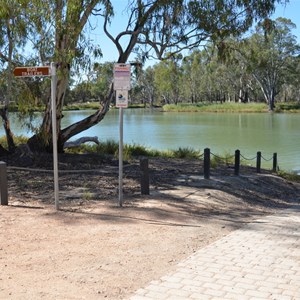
{"points": [[260, 261]]}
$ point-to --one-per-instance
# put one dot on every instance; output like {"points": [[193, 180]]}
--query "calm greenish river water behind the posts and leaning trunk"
{"points": [[221, 132]]}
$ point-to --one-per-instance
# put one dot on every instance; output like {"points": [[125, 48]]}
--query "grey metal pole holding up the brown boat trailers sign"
{"points": [[54, 133]]}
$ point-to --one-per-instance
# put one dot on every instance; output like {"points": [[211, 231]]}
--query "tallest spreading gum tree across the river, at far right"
{"points": [[270, 56]]}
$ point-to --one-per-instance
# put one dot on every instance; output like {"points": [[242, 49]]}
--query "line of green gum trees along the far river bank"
{"points": [[262, 68]]}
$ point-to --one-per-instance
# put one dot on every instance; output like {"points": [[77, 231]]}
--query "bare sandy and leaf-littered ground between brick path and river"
{"points": [[93, 249]]}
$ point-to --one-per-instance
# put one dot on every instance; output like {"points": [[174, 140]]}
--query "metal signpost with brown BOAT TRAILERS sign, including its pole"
{"points": [[47, 71]]}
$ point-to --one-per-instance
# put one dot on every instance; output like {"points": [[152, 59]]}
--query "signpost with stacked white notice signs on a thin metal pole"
{"points": [[122, 77]]}
